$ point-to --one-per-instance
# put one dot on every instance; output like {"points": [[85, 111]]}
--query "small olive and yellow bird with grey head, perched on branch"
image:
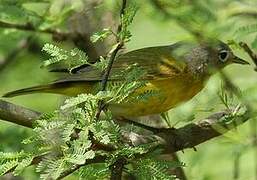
{"points": [[177, 72]]}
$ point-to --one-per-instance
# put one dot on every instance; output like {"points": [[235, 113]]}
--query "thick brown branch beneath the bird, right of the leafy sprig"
{"points": [[188, 136]]}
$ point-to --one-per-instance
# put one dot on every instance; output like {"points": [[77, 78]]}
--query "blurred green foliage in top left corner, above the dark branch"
{"points": [[41, 14]]}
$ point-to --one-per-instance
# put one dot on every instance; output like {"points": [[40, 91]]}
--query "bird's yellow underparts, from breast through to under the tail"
{"points": [[169, 93]]}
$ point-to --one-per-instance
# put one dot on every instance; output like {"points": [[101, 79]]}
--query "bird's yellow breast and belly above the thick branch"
{"points": [[170, 92]]}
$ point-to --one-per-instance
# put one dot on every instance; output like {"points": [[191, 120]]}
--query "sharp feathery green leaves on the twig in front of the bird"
{"points": [[67, 137]]}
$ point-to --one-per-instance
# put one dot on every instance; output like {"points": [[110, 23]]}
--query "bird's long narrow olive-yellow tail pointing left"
{"points": [[65, 88]]}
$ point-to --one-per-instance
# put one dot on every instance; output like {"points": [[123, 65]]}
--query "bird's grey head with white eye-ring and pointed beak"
{"points": [[208, 58]]}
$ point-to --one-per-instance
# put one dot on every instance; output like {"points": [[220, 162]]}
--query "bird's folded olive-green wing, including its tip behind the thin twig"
{"points": [[157, 62]]}
